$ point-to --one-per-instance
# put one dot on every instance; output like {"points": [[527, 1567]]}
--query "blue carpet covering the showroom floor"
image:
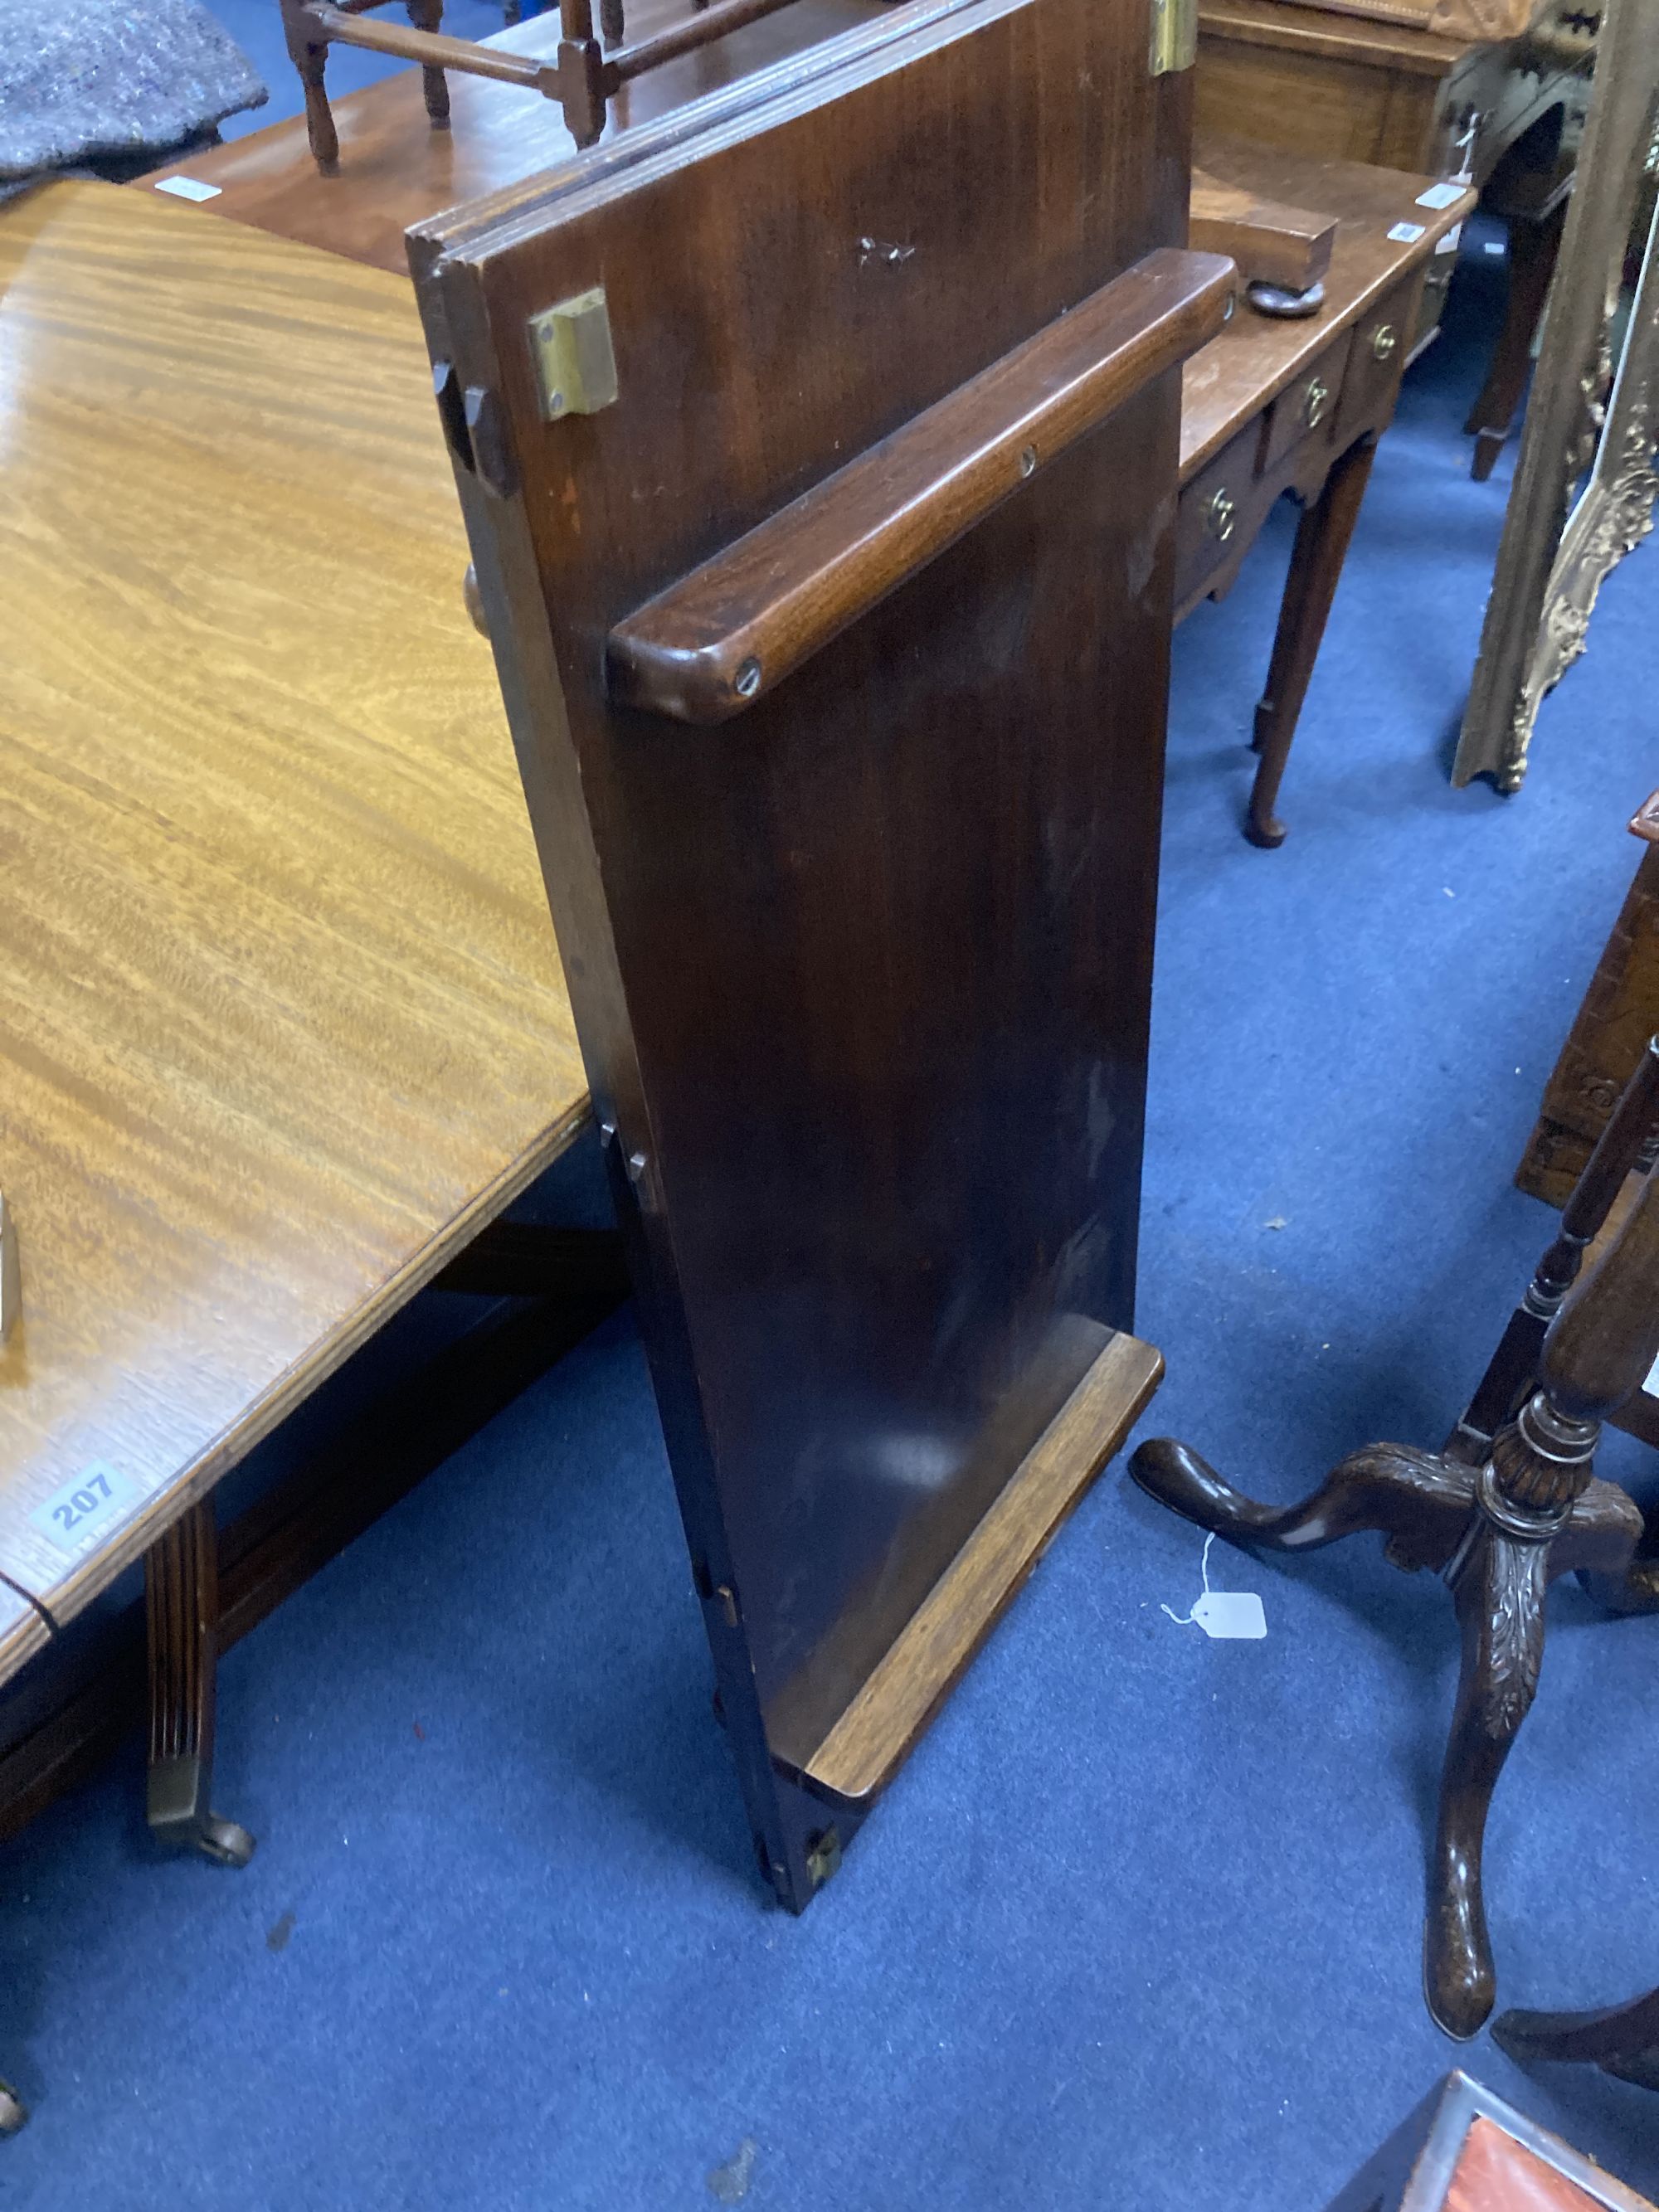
{"points": [[1138, 1928]]}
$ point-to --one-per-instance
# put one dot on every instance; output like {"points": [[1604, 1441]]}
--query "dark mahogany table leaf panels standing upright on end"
{"points": [[866, 983]]}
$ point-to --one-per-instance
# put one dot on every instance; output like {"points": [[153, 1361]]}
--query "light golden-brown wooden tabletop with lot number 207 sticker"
{"points": [[280, 1019]]}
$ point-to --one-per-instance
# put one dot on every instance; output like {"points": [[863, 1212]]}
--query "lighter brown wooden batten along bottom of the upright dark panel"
{"points": [[879, 1729]]}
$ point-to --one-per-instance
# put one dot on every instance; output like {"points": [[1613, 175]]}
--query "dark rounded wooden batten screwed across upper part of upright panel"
{"points": [[724, 636]]}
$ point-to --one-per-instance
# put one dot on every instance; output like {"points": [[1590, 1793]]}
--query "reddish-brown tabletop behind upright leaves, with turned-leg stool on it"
{"points": [[399, 171]]}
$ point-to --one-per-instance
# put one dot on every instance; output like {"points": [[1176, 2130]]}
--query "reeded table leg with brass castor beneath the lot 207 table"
{"points": [[182, 1609]]}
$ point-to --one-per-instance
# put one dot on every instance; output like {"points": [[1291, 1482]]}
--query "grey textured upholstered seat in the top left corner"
{"points": [[87, 79]]}
